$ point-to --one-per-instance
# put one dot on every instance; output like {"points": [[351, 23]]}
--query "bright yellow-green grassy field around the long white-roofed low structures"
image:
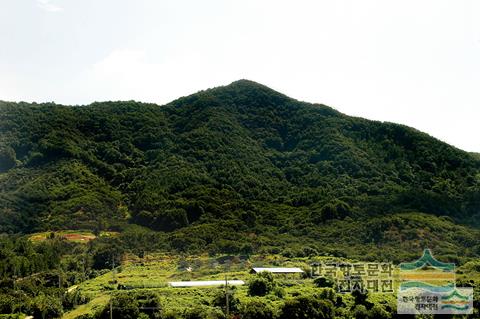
{"points": [[155, 271]]}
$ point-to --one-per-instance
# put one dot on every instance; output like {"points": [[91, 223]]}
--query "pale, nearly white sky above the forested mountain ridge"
{"points": [[411, 62]]}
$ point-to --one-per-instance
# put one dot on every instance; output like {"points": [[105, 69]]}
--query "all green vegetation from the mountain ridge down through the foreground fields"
{"points": [[236, 173]]}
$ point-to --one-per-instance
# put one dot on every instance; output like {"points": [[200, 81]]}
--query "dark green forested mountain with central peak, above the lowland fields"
{"points": [[238, 168]]}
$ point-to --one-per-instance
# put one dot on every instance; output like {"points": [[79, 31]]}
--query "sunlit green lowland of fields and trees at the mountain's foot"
{"points": [[80, 282]]}
